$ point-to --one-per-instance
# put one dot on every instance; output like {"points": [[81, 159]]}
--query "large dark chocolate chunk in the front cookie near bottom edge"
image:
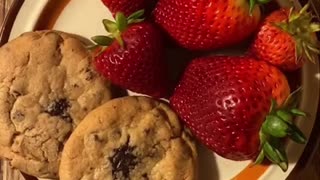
{"points": [[123, 161]]}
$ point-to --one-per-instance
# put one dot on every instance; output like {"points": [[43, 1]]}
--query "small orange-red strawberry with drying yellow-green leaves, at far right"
{"points": [[285, 39]]}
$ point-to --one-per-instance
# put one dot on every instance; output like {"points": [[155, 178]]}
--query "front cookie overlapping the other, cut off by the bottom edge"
{"points": [[132, 138]]}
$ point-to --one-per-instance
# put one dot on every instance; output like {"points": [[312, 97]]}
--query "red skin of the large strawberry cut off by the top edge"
{"points": [[206, 24]]}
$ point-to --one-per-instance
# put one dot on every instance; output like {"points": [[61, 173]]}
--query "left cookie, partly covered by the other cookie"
{"points": [[47, 86]]}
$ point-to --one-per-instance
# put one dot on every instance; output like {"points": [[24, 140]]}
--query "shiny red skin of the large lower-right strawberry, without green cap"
{"points": [[224, 101]]}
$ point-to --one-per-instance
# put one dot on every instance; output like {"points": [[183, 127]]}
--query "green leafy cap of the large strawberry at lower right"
{"points": [[279, 125]]}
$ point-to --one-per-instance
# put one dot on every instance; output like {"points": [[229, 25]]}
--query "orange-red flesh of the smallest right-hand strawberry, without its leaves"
{"points": [[274, 45]]}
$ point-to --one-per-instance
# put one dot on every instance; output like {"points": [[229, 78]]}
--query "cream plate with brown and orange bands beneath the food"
{"points": [[83, 17]]}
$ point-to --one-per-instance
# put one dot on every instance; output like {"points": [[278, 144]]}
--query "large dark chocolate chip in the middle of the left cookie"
{"points": [[59, 108]]}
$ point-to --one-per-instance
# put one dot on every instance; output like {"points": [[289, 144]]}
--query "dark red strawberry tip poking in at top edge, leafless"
{"points": [[127, 6]]}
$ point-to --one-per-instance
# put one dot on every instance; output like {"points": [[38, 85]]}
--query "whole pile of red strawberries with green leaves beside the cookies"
{"points": [[238, 106]]}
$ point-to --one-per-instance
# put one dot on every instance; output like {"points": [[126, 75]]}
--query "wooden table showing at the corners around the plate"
{"points": [[308, 167]]}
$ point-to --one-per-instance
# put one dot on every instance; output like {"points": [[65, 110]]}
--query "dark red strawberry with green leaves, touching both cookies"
{"points": [[132, 56]]}
